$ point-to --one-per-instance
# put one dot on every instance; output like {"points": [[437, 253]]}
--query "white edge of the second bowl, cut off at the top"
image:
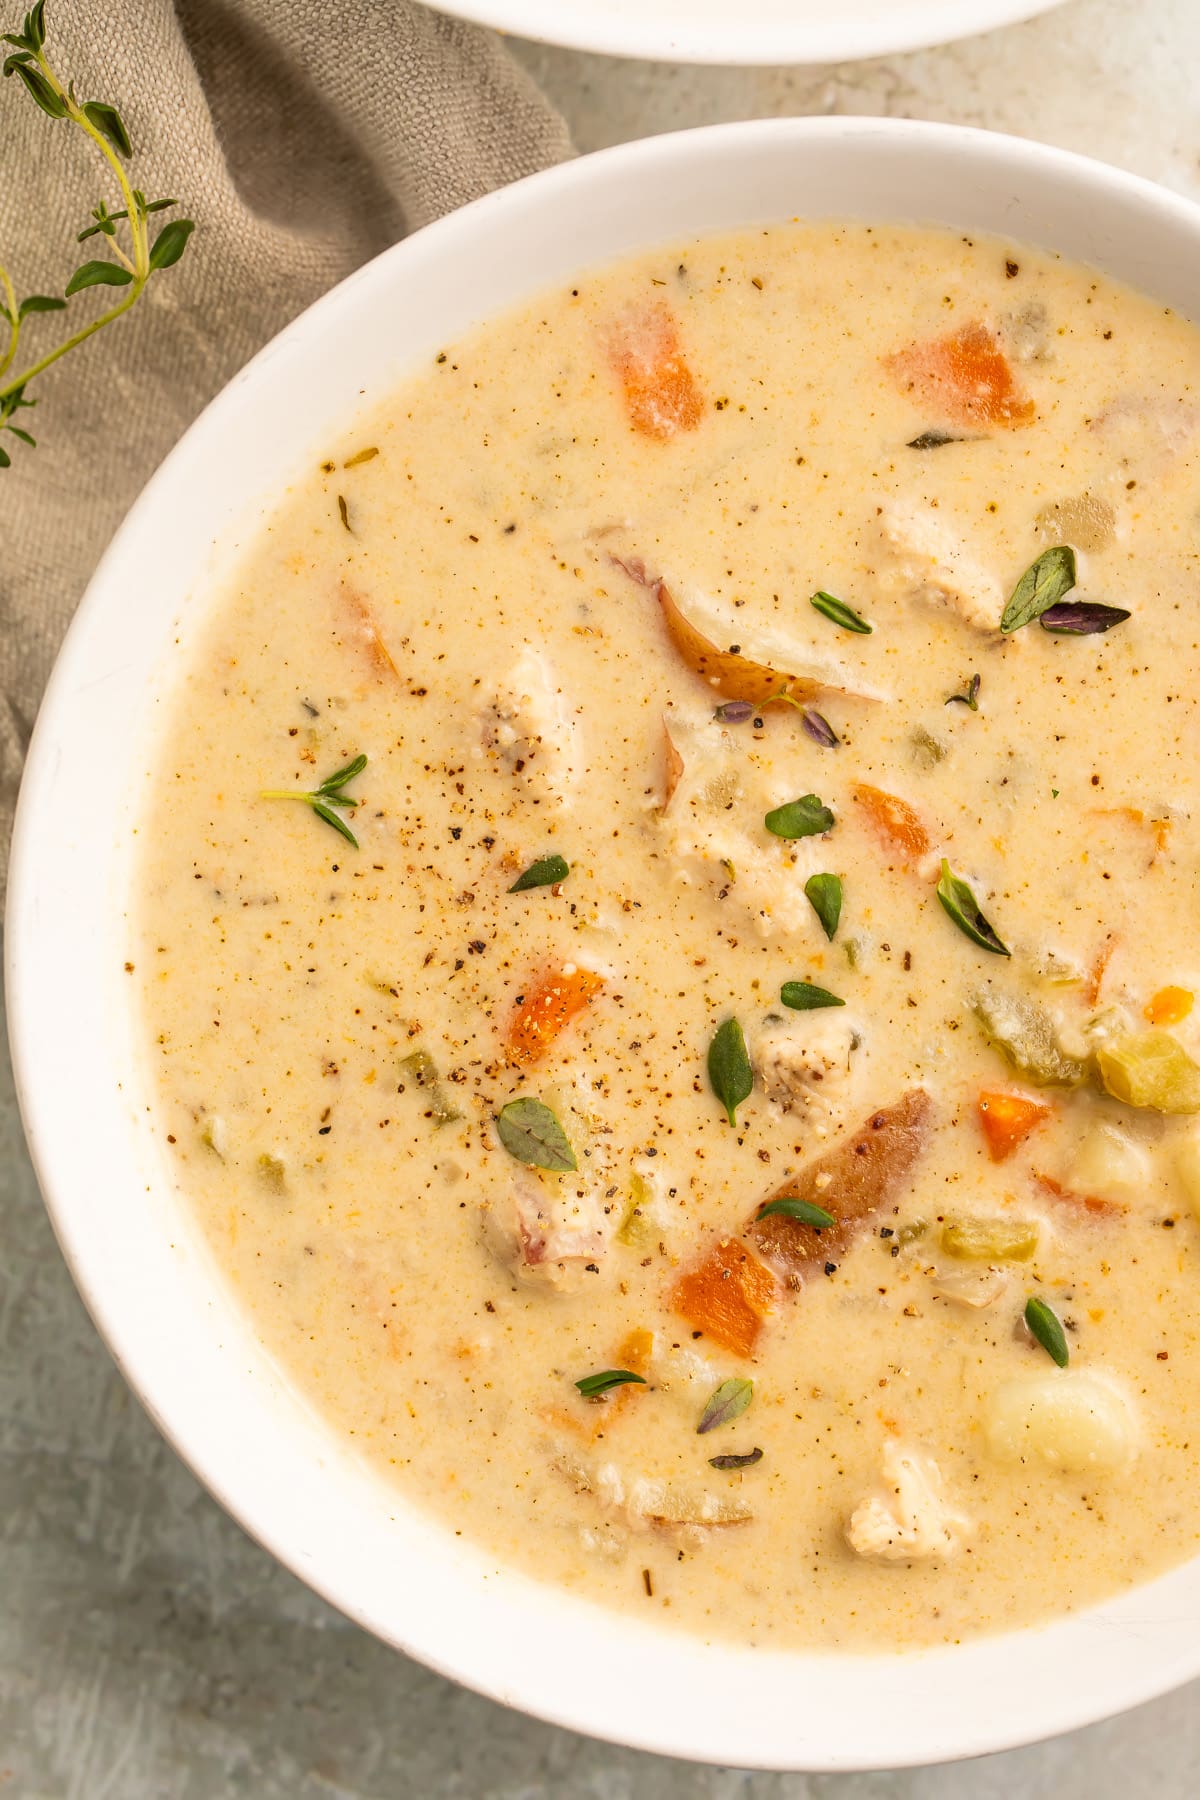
{"points": [[828, 35]]}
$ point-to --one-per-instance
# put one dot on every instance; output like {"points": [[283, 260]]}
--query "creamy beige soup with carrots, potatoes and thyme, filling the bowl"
{"points": [[668, 937]]}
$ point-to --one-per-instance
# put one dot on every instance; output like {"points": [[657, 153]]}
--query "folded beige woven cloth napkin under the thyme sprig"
{"points": [[303, 138]]}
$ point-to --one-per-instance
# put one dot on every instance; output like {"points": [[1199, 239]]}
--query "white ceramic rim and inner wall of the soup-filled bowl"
{"points": [[129, 1239]]}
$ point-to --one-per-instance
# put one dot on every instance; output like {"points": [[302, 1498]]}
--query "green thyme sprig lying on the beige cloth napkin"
{"points": [[134, 256]]}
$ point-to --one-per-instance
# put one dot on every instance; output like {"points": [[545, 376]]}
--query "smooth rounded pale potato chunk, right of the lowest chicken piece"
{"points": [[1068, 1421]]}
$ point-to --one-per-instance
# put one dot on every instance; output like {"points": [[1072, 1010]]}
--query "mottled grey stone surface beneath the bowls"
{"points": [[148, 1651]]}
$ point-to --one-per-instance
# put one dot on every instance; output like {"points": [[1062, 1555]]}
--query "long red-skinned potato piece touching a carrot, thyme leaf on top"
{"points": [[854, 1182]]}
